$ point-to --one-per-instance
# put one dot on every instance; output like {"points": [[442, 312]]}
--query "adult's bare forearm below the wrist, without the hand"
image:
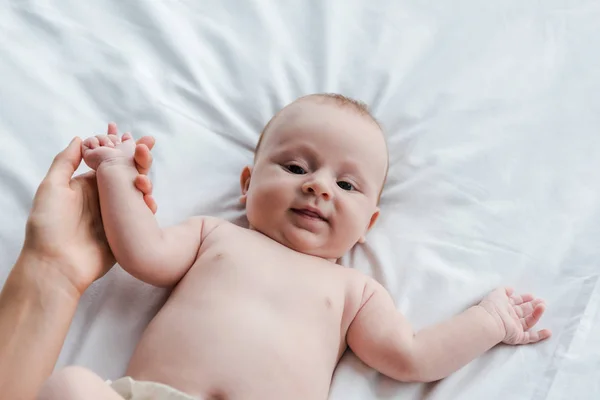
{"points": [[37, 305]]}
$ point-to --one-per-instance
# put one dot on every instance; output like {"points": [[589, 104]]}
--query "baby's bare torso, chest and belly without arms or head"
{"points": [[290, 310]]}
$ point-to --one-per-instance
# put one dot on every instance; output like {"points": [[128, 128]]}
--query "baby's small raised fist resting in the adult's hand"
{"points": [[110, 149]]}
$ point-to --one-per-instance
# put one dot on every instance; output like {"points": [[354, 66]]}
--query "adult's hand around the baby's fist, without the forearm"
{"points": [[64, 230]]}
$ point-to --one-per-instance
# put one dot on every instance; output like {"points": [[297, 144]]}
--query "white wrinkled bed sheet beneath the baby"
{"points": [[491, 110]]}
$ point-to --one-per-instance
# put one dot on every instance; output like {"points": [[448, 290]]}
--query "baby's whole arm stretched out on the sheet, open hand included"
{"points": [[381, 337]]}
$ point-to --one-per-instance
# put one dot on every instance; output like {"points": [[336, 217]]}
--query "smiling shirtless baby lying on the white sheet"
{"points": [[265, 312]]}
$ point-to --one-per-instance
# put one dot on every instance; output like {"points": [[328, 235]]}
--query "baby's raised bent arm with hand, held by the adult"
{"points": [[157, 256]]}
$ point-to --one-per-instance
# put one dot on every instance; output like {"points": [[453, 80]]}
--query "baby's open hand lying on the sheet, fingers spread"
{"points": [[516, 315]]}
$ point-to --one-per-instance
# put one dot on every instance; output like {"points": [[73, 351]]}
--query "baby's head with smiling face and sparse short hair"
{"points": [[316, 179]]}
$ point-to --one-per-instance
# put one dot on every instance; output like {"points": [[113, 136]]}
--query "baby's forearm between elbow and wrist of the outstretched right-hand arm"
{"points": [[444, 348]]}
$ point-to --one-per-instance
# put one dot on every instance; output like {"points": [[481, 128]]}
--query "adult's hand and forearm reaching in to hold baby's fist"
{"points": [[65, 250]]}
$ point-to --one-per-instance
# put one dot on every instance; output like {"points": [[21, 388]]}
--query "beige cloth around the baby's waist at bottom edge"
{"points": [[131, 389]]}
